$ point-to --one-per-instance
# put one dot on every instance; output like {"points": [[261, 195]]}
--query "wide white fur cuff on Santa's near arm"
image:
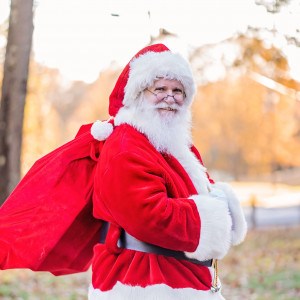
{"points": [[215, 233]]}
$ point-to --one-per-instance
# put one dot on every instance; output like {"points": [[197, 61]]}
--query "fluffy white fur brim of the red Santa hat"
{"points": [[151, 66]]}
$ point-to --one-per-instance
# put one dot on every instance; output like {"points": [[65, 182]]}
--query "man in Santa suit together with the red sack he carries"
{"points": [[135, 196]]}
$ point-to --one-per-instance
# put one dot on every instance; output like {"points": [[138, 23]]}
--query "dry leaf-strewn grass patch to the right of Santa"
{"points": [[266, 266]]}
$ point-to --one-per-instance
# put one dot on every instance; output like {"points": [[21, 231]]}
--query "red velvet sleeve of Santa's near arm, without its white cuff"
{"points": [[134, 192]]}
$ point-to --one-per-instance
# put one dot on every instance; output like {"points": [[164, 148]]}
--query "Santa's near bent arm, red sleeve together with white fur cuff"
{"points": [[133, 189]]}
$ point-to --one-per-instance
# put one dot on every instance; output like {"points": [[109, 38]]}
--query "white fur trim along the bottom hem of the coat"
{"points": [[158, 291]]}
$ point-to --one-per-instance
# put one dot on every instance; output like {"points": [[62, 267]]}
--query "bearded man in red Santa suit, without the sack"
{"points": [[167, 219]]}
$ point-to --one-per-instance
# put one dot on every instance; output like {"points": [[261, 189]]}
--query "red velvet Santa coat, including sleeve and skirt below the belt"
{"points": [[148, 195]]}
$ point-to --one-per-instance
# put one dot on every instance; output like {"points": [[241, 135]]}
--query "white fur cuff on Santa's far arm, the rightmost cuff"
{"points": [[238, 218]]}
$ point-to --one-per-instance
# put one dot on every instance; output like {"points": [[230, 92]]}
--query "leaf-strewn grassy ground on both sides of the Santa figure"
{"points": [[265, 267]]}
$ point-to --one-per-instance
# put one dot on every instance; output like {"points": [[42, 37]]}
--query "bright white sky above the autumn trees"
{"points": [[81, 38]]}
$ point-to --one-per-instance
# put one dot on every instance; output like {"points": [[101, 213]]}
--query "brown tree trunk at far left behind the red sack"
{"points": [[14, 88]]}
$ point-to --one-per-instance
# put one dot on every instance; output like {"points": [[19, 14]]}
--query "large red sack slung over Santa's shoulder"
{"points": [[46, 224]]}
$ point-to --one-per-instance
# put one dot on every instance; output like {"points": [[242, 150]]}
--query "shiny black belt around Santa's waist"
{"points": [[127, 241]]}
